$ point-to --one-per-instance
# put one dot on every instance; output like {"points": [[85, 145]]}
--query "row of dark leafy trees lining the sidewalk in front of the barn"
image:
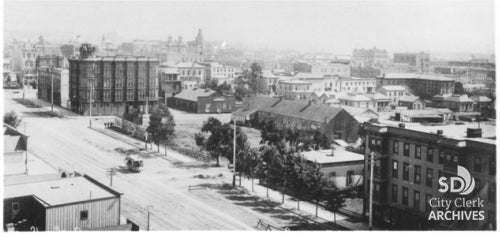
{"points": [[275, 163]]}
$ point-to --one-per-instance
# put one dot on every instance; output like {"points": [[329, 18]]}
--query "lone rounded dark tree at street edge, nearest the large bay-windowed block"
{"points": [[161, 127]]}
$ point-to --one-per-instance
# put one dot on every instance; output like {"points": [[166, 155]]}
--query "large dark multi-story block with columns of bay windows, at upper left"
{"points": [[114, 85]]}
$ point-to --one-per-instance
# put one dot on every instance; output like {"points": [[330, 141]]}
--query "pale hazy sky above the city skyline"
{"points": [[329, 26]]}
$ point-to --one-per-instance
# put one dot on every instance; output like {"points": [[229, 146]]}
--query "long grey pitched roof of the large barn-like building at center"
{"points": [[302, 110]]}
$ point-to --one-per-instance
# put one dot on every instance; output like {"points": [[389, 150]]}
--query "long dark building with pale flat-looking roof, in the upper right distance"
{"points": [[423, 85]]}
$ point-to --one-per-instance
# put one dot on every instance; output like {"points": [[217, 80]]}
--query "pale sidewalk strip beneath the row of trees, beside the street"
{"points": [[307, 207]]}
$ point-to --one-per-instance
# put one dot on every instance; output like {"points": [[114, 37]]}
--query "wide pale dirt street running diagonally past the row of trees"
{"points": [[67, 143]]}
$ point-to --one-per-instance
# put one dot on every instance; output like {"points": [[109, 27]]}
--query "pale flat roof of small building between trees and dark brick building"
{"points": [[339, 156]]}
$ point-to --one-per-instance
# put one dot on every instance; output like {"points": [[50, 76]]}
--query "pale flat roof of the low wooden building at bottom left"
{"points": [[59, 191]]}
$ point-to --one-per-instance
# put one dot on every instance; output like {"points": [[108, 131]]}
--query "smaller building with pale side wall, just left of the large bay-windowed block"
{"points": [[53, 85]]}
